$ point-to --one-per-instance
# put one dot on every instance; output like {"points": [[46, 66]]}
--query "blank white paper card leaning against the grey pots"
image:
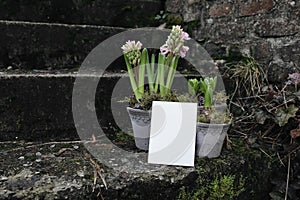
{"points": [[172, 133]]}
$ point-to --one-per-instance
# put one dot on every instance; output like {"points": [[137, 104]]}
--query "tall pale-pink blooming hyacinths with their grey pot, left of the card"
{"points": [[160, 71]]}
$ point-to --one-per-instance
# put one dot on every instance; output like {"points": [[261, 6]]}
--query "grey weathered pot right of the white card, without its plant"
{"points": [[210, 139]]}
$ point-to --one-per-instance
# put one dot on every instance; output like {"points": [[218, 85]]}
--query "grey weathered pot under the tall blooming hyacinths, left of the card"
{"points": [[141, 121]]}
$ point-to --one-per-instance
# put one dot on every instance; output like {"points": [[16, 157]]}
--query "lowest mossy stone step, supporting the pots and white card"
{"points": [[65, 170]]}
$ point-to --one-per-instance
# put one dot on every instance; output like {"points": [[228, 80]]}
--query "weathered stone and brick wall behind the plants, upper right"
{"points": [[265, 29]]}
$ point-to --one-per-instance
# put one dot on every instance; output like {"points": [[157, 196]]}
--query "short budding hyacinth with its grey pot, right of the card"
{"points": [[213, 117]]}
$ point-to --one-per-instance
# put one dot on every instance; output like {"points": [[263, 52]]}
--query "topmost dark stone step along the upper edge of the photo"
{"points": [[128, 13]]}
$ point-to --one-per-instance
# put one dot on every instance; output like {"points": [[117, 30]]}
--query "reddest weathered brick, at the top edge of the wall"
{"points": [[253, 7]]}
